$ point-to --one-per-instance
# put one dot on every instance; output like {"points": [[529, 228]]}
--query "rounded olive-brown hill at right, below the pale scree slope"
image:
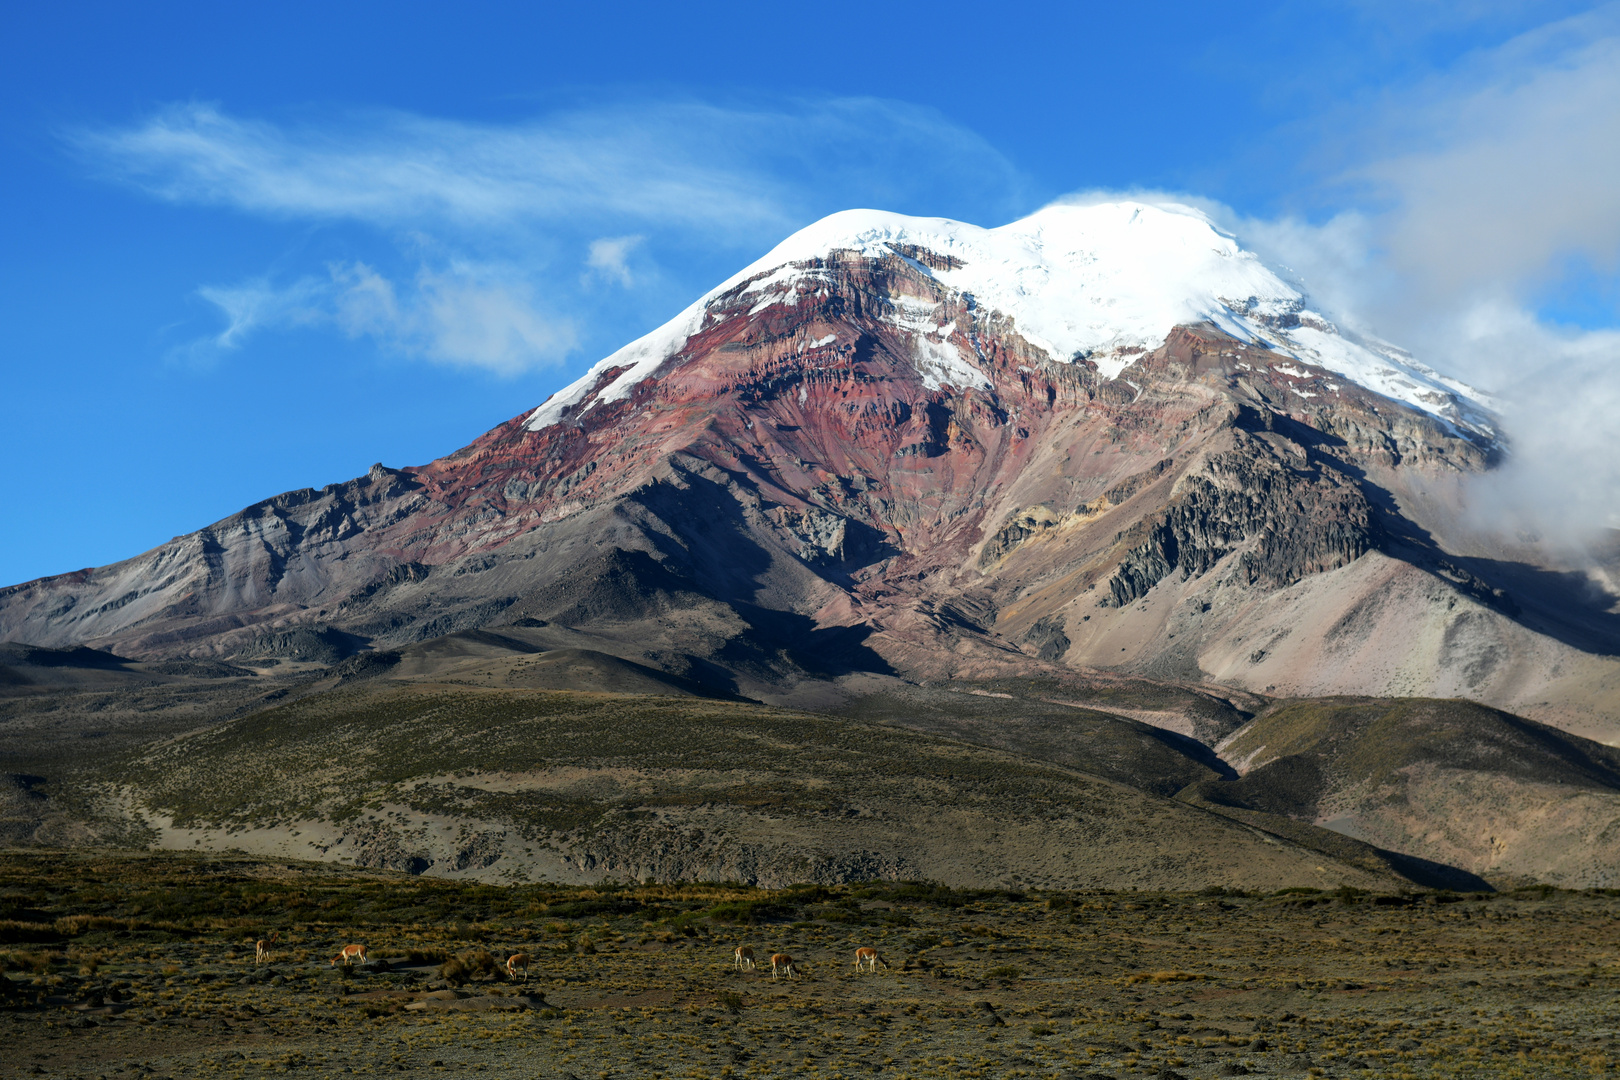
{"points": [[1451, 781]]}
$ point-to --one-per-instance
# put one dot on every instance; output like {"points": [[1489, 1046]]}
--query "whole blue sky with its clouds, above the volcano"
{"points": [[252, 252]]}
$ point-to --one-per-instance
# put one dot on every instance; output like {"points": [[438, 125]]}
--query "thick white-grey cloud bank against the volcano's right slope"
{"points": [[1480, 197]]}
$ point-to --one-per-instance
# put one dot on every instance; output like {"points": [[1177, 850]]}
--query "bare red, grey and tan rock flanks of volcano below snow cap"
{"points": [[861, 467]]}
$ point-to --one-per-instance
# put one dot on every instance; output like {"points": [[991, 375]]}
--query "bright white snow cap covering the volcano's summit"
{"points": [[1102, 283]]}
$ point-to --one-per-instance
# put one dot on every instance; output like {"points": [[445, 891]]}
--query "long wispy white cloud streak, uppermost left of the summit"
{"points": [[671, 163]]}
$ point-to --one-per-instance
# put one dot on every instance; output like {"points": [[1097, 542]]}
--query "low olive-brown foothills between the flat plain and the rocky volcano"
{"points": [[87, 763]]}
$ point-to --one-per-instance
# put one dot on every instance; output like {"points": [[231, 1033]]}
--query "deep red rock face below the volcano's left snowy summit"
{"points": [[845, 427]]}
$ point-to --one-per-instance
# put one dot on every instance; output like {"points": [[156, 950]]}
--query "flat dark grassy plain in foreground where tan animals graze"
{"points": [[143, 967]]}
